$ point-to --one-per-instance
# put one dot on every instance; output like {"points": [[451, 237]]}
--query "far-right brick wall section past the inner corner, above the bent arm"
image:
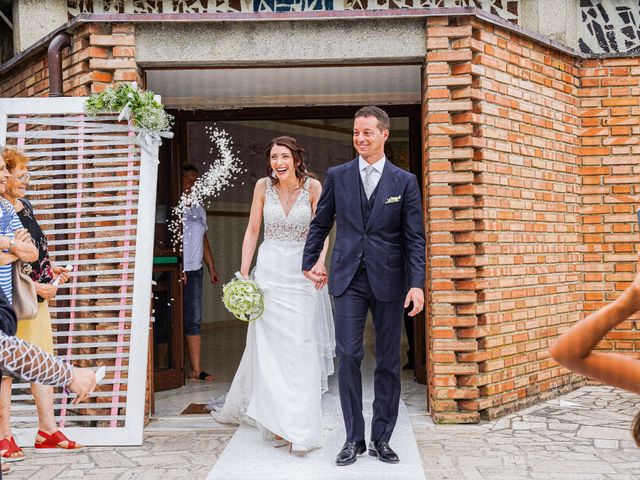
{"points": [[610, 147]]}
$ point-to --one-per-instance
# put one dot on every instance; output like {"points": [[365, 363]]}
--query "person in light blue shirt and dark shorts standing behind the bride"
{"points": [[195, 251]]}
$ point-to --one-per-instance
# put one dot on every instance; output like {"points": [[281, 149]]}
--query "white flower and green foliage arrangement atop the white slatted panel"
{"points": [[138, 106]]}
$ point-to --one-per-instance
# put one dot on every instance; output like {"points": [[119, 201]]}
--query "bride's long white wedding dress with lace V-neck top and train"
{"points": [[289, 351]]}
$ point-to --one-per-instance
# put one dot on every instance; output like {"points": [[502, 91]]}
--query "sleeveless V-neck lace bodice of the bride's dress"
{"points": [[293, 227]]}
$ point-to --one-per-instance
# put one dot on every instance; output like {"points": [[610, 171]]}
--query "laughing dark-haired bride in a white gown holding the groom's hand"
{"points": [[289, 350]]}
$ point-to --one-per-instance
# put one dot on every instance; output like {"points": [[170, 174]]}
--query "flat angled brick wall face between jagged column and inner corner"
{"points": [[527, 100]]}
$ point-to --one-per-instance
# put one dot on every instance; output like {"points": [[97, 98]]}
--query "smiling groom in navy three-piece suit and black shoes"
{"points": [[378, 264]]}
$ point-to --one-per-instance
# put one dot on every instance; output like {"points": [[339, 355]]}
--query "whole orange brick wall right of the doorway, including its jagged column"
{"points": [[531, 176]]}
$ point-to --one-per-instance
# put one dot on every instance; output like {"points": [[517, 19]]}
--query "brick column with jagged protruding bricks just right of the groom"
{"points": [[453, 197]]}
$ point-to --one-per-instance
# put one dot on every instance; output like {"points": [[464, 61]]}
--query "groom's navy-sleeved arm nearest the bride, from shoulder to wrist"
{"points": [[320, 225]]}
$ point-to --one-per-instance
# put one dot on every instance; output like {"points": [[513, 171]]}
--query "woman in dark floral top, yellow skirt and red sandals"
{"points": [[37, 330]]}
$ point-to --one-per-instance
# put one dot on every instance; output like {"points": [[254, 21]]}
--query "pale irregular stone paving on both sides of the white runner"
{"points": [[580, 436]]}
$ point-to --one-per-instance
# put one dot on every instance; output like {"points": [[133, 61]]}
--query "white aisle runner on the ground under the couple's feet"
{"points": [[249, 457]]}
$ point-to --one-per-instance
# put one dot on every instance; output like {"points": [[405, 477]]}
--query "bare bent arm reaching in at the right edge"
{"points": [[574, 348]]}
